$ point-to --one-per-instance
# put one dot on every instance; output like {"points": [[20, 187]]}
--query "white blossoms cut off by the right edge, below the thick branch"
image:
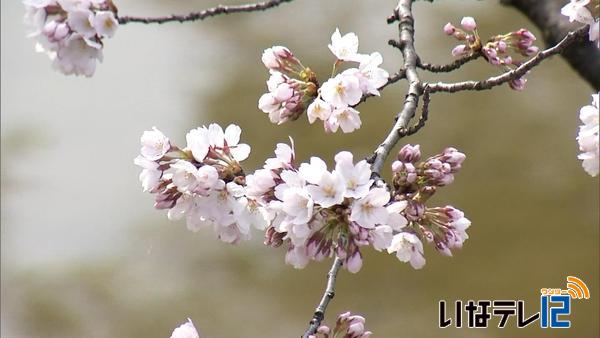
{"points": [[588, 137]]}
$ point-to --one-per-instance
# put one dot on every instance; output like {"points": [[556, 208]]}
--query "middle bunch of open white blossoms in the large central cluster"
{"points": [[319, 213]]}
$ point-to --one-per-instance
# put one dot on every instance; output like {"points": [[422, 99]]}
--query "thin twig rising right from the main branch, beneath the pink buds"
{"points": [[513, 74]]}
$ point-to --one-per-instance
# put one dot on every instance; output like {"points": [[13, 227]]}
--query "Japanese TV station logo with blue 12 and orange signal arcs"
{"points": [[555, 307]]}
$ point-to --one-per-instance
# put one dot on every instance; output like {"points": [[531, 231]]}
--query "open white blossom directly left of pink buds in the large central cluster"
{"points": [[370, 210]]}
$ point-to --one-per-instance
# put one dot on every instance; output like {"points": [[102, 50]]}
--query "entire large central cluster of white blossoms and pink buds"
{"points": [[315, 212]]}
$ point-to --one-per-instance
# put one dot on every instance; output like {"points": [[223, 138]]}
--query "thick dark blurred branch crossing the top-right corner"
{"points": [[584, 57]]}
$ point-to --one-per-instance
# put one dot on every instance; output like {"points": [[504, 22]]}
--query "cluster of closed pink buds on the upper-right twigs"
{"points": [[500, 50]]}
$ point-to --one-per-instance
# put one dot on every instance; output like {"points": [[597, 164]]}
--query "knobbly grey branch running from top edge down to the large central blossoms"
{"points": [[403, 13]]}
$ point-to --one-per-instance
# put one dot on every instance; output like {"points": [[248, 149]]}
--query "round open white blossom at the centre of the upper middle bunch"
{"points": [[341, 91]]}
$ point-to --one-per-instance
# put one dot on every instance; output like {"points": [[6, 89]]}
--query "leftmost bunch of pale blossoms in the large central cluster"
{"points": [[203, 182]]}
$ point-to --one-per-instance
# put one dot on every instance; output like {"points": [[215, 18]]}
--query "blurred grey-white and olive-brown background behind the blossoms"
{"points": [[84, 254]]}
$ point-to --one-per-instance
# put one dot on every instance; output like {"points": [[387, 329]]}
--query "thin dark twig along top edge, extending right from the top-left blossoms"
{"points": [[194, 16]]}
